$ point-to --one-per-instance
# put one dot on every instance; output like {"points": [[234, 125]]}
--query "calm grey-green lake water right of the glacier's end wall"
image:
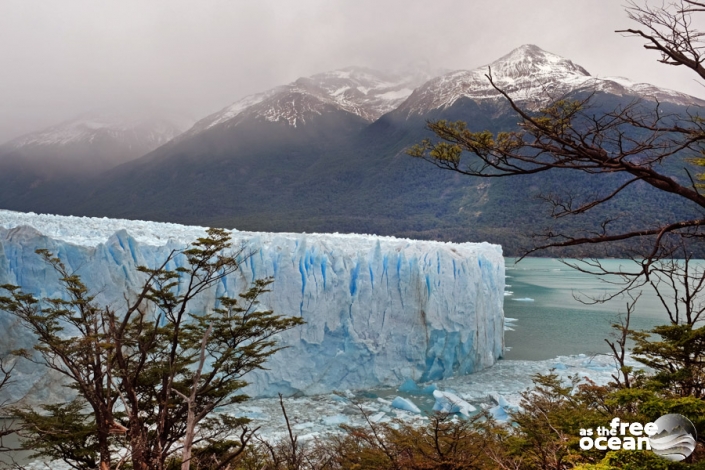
{"points": [[551, 322]]}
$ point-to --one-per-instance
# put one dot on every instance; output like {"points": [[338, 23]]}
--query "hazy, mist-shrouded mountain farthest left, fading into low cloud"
{"points": [[58, 160]]}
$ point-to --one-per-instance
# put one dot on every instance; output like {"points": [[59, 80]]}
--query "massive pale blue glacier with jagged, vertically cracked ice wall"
{"points": [[378, 310]]}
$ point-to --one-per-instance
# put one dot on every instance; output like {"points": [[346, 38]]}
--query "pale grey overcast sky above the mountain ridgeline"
{"points": [[59, 59]]}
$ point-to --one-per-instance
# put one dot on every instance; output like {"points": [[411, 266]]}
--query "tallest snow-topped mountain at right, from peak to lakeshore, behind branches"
{"points": [[509, 211]]}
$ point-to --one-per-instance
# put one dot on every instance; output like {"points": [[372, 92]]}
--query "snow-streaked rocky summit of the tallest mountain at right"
{"points": [[530, 75]]}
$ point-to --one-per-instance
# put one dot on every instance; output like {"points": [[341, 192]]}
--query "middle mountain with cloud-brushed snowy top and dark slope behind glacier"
{"points": [[253, 150]]}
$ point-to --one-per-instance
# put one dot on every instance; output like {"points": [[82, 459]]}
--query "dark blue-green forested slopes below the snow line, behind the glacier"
{"points": [[340, 175]]}
